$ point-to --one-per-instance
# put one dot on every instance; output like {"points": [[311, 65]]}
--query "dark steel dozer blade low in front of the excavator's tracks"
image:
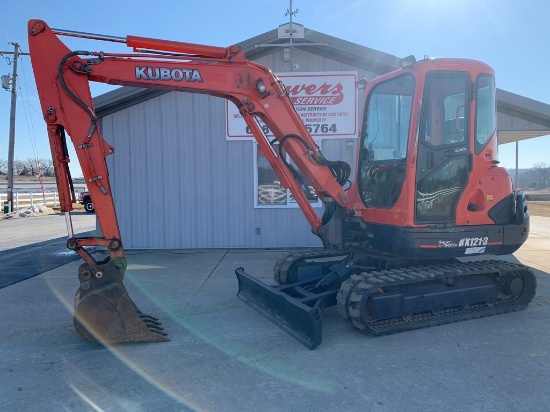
{"points": [[301, 321]]}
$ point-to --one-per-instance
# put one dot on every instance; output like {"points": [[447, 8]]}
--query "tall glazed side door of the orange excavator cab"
{"points": [[443, 149]]}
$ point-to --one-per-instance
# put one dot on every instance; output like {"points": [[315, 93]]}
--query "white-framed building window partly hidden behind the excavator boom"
{"points": [[269, 192]]}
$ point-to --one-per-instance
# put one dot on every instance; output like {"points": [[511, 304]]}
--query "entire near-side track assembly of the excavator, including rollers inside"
{"points": [[396, 300]]}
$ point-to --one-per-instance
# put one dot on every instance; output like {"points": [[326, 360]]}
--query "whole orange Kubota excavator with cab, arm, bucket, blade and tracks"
{"points": [[428, 190]]}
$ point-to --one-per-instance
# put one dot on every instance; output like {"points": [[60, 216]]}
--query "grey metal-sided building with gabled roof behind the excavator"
{"points": [[180, 182]]}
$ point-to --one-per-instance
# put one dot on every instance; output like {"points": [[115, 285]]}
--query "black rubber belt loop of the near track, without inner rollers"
{"points": [[355, 291]]}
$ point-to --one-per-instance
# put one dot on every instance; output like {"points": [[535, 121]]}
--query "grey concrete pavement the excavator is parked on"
{"points": [[224, 356]]}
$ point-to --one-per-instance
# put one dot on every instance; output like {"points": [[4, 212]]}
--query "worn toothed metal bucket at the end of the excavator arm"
{"points": [[105, 313]]}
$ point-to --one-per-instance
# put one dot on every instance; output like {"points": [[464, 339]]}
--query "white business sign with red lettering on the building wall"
{"points": [[326, 103]]}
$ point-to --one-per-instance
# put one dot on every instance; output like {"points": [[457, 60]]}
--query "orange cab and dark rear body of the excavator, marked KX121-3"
{"points": [[428, 175]]}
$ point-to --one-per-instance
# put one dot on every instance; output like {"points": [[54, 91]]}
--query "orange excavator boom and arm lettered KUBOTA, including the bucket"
{"points": [[103, 310]]}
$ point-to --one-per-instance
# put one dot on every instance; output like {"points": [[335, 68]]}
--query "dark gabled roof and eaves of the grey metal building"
{"points": [[519, 117]]}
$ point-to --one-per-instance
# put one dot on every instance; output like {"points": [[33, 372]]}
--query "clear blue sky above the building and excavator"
{"points": [[511, 36]]}
